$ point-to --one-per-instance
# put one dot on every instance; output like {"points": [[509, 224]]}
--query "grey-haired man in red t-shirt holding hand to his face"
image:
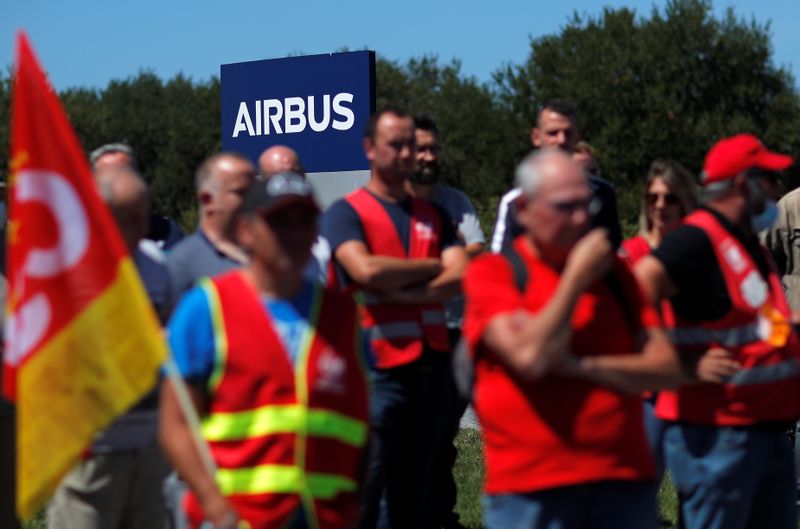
{"points": [[564, 343]]}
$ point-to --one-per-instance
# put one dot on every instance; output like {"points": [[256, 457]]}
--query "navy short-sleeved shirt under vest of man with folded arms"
{"points": [[341, 224]]}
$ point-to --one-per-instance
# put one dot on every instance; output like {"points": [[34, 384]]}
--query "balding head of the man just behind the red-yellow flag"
{"points": [[125, 193]]}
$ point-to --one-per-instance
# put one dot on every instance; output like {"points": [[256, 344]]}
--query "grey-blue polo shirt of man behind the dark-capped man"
{"points": [[194, 258]]}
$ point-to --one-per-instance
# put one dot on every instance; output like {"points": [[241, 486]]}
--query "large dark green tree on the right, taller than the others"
{"points": [[665, 86]]}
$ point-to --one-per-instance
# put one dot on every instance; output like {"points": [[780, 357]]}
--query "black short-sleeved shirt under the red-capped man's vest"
{"points": [[692, 266]]}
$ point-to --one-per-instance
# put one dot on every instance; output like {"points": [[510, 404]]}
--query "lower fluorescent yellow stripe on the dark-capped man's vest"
{"points": [[281, 479]]}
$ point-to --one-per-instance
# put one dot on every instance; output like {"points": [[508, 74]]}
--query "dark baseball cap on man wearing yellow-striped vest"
{"points": [[277, 192]]}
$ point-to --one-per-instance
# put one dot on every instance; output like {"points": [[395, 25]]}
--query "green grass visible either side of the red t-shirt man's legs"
{"points": [[469, 473]]}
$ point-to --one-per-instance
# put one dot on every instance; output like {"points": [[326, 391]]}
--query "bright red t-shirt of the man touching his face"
{"points": [[560, 431]]}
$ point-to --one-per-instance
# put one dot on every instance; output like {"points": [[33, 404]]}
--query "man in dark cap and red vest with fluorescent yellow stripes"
{"points": [[274, 364]]}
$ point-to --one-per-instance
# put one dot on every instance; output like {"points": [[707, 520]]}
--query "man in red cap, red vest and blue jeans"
{"points": [[725, 444]]}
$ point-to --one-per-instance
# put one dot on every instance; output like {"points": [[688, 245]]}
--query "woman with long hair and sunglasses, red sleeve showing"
{"points": [[670, 193]]}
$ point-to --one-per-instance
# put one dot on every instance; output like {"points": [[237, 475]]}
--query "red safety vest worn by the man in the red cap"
{"points": [[757, 330]]}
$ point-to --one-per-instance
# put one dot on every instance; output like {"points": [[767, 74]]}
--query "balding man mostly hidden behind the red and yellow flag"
{"points": [[119, 482]]}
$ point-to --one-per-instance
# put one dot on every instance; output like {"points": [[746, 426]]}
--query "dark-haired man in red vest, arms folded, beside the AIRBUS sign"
{"points": [[403, 257]]}
